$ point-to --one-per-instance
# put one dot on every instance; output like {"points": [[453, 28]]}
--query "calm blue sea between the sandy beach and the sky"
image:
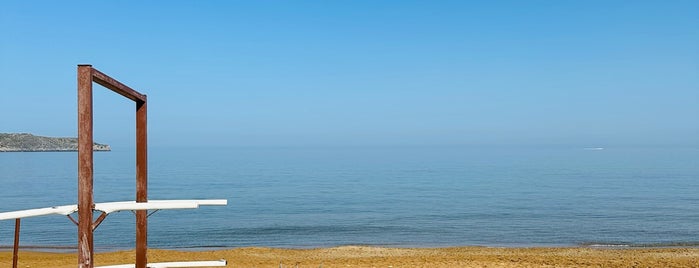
{"points": [[395, 196]]}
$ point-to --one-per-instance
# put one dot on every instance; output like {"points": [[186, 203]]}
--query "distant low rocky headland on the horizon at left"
{"points": [[25, 142]]}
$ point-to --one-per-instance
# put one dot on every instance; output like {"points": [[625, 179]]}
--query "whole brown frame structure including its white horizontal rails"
{"points": [[86, 205]]}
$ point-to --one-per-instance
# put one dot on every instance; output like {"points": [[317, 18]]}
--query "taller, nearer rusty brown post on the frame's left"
{"points": [[85, 168]]}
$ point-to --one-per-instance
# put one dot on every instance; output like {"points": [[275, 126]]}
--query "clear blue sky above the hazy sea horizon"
{"points": [[299, 73]]}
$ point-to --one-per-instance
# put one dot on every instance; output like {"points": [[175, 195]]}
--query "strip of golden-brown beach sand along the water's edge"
{"points": [[359, 256]]}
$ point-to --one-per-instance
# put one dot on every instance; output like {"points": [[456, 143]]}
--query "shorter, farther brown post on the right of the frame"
{"points": [[141, 184]]}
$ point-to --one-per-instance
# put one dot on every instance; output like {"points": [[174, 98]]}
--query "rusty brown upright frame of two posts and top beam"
{"points": [[86, 75]]}
